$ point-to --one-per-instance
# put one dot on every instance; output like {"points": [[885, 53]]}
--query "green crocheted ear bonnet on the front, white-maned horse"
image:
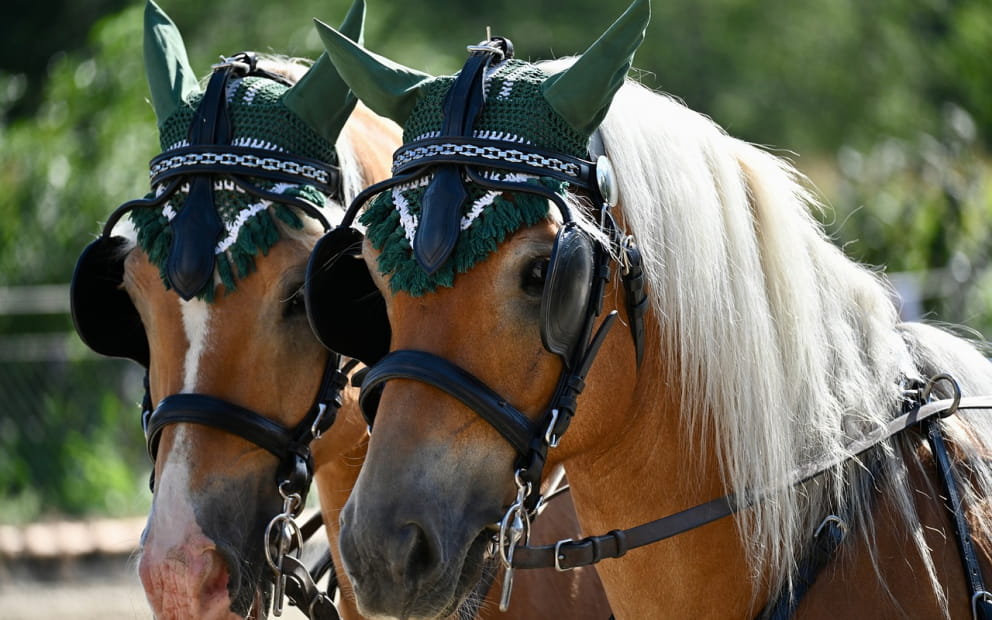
{"points": [[521, 104]]}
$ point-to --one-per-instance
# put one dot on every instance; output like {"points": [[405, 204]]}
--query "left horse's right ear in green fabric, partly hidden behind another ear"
{"points": [[321, 97]]}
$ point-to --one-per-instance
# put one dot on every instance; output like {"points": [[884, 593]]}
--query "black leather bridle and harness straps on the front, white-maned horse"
{"points": [[578, 271]]}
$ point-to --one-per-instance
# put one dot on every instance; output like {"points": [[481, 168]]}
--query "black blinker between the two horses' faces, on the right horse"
{"points": [[345, 308]]}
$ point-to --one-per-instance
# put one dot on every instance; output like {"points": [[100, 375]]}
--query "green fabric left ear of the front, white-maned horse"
{"points": [[387, 88]]}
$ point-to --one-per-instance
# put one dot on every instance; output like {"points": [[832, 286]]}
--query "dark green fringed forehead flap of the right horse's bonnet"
{"points": [[505, 215]]}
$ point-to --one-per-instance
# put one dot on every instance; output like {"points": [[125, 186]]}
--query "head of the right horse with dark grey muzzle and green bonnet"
{"points": [[492, 280]]}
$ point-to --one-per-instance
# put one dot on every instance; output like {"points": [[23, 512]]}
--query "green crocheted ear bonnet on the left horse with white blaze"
{"points": [[259, 143]]}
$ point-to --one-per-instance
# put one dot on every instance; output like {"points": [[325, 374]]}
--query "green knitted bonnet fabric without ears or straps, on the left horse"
{"points": [[258, 120]]}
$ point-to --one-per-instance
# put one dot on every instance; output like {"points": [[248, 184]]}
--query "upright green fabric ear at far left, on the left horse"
{"points": [[170, 77]]}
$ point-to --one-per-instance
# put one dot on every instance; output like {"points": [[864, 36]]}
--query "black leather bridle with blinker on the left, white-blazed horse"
{"points": [[108, 322]]}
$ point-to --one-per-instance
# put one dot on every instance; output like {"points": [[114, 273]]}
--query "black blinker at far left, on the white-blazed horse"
{"points": [[102, 312]]}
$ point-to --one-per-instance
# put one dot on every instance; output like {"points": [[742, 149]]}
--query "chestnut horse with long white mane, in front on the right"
{"points": [[760, 405]]}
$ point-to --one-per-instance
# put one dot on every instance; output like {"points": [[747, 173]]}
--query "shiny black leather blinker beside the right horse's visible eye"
{"points": [[566, 291]]}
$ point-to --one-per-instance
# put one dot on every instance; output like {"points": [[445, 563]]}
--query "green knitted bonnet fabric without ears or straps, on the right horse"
{"points": [[515, 111]]}
